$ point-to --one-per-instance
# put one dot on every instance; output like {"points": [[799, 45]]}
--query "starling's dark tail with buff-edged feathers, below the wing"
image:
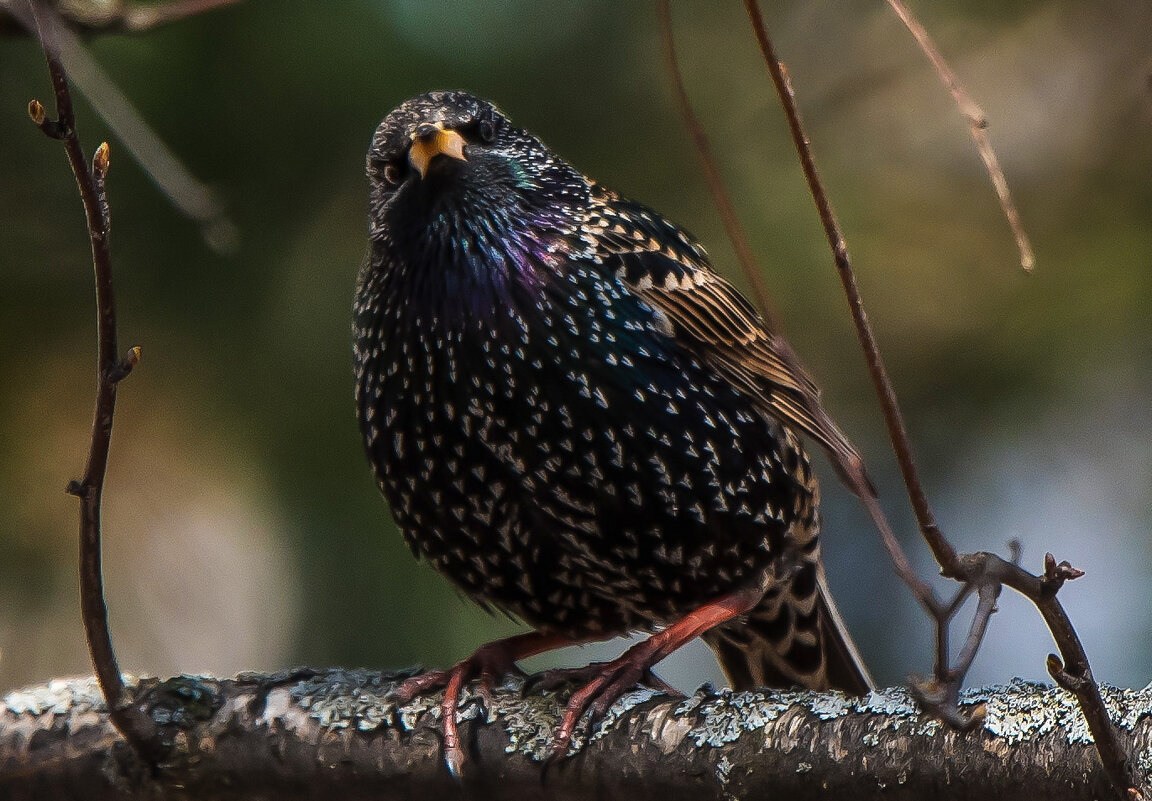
{"points": [[794, 638]]}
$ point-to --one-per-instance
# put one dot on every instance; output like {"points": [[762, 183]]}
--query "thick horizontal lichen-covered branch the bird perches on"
{"points": [[334, 735]]}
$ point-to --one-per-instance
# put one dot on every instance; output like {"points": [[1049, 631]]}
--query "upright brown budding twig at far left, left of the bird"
{"points": [[138, 728]]}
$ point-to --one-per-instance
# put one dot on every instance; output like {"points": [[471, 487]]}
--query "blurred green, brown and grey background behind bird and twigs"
{"points": [[244, 530]]}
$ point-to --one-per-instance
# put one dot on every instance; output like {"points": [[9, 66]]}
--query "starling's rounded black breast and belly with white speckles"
{"points": [[565, 462]]}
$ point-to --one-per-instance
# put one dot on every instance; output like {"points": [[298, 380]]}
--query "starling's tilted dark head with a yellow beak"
{"points": [[448, 169]]}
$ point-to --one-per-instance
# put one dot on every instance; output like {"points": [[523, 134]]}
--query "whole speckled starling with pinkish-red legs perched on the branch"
{"points": [[580, 424]]}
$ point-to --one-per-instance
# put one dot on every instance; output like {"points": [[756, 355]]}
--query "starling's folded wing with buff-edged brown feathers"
{"points": [[669, 270]]}
